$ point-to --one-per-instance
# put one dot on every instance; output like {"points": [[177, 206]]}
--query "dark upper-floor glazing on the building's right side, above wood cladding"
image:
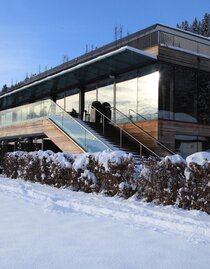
{"points": [[184, 94]]}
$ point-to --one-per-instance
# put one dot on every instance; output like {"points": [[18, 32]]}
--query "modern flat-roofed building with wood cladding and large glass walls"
{"points": [[156, 81]]}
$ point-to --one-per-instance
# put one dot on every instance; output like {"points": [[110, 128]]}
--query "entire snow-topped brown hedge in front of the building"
{"points": [[169, 181]]}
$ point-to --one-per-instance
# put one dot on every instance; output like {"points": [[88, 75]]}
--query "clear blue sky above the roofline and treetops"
{"points": [[37, 34]]}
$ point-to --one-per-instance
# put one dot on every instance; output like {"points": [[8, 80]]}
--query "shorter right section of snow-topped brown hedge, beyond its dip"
{"points": [[176, 181]]}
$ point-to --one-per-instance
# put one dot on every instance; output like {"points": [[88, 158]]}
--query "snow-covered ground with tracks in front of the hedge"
{"points": [[45, 227]]}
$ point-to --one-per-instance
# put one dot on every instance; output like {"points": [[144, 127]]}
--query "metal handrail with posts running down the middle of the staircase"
{"points": [[124, 131]]}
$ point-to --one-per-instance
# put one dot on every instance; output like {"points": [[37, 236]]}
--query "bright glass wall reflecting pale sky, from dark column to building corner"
{"points": [[134, 94]]}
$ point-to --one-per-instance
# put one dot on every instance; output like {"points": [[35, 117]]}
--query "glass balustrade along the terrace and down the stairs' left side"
{"points": [[48, 109]]}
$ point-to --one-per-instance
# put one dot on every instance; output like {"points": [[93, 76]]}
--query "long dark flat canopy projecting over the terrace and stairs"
{"points": [[113, 63]]}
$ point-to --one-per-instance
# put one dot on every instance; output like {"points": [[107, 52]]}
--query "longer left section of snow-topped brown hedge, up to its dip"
{"points": [[107, 172]]}
